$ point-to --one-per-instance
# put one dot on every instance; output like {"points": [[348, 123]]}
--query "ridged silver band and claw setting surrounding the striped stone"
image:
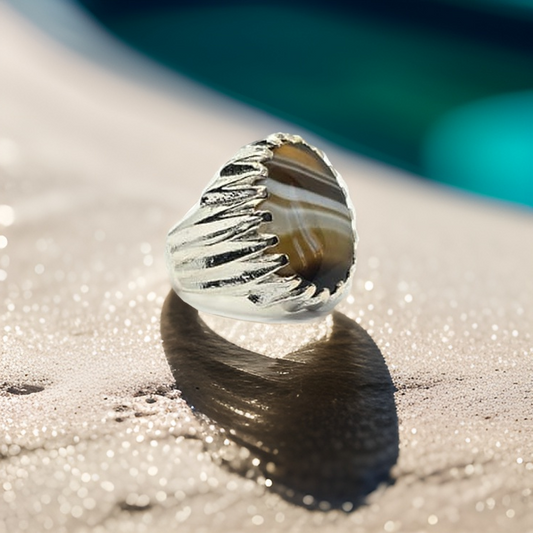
{"points": [[216, 254]]}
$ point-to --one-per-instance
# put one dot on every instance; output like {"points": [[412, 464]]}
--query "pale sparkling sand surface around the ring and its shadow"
{"points": [[94, 169]]}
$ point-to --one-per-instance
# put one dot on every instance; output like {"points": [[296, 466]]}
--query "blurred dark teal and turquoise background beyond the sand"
{"points": [[440, 88]]}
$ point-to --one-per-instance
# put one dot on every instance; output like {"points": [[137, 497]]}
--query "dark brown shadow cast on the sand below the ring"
{"points": [[322, 422]]}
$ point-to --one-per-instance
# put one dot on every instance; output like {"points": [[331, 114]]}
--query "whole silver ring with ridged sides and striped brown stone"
{"points": [[272, 238]]}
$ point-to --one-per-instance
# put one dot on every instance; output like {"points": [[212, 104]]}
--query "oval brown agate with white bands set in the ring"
{"points": [[310, 216]]}
